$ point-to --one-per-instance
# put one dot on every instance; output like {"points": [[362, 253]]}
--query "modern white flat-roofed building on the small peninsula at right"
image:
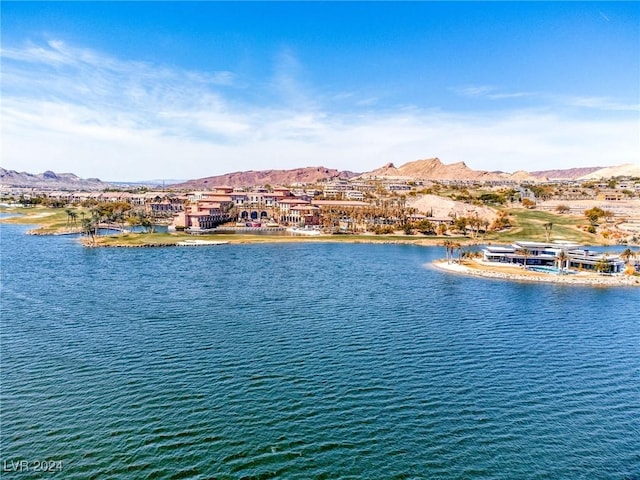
{"points": [[562, 255]]}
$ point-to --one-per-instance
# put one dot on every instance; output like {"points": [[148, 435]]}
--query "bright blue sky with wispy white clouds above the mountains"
{"points": [[132, 91]]}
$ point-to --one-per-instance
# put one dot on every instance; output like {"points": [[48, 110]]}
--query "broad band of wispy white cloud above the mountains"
{"points": [[102, 117]]}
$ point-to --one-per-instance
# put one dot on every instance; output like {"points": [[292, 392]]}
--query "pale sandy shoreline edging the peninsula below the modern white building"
{"points": [[476, 269]]}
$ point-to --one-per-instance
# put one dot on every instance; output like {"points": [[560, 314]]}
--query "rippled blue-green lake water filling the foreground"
{"points": [[308, 361]]}
